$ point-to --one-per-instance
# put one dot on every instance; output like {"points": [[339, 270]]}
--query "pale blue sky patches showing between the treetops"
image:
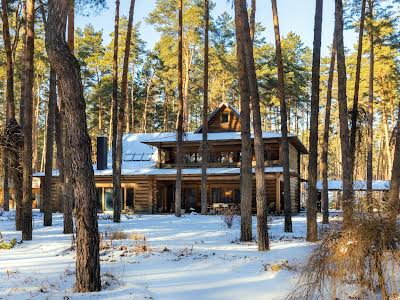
{"points": [[295, 15]]}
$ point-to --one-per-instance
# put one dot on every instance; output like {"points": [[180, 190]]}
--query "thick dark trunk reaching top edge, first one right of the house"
{"points": [[312, 230]]}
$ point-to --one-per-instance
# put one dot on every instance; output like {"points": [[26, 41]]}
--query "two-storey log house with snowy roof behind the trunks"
{"points": [[149, 168]]}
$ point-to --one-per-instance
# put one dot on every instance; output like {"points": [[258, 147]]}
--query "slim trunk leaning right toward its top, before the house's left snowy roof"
{"points": [[121, 112]]}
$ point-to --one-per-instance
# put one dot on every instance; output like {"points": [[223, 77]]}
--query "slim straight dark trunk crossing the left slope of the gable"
{"points": [[204, 148]]}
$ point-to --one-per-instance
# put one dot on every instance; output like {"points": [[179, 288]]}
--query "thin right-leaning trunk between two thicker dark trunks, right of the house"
{"points": [[325, 145]]}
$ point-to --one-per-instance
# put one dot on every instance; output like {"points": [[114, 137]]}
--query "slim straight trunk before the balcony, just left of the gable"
{"points": [[179, 125]]}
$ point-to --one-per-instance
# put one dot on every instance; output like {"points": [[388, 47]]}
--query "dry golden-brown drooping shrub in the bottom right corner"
{"points": [[364, 258]]}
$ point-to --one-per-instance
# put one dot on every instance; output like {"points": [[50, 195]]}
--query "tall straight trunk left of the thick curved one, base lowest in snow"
{"points": [[27, 130]]}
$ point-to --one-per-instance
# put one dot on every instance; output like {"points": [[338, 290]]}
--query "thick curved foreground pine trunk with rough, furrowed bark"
{"points": [[68, 71]]}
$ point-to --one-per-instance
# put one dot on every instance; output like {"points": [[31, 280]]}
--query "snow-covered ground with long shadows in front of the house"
{"points": [[193, 257]]}
